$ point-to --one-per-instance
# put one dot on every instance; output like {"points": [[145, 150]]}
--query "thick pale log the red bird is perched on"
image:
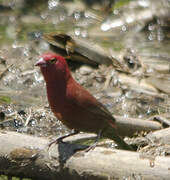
{"points": [[27, 156]]}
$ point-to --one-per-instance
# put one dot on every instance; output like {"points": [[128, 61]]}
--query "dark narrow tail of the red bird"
{"points": [[112, 134]]}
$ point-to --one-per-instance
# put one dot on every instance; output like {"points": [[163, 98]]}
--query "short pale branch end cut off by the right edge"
{"points": [[161, 136]]}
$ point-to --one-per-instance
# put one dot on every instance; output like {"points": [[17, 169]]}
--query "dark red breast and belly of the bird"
{"points": [[73, 115]]}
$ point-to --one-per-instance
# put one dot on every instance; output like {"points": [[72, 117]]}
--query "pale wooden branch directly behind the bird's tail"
{"points": [[129, 126]]}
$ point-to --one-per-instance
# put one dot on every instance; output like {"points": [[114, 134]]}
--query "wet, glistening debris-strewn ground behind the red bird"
{"points": [[134, 35]]}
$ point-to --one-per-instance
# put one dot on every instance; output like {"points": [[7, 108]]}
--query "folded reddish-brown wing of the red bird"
{"points": [[82, 98]]}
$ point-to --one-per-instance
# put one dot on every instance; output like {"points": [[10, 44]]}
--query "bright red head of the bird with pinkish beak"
{"points": [[53, 66]]}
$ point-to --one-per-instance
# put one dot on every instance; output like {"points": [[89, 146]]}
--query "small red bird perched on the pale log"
{"points": [[74, 105]]}
